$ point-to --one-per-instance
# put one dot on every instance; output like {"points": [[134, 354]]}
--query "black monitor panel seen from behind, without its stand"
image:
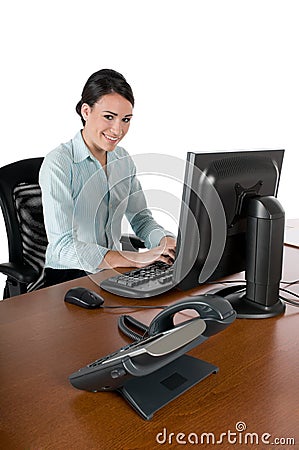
{"points": [[213, 228]]}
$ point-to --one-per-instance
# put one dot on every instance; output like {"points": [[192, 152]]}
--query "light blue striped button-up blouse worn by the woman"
{"points": [[84, 207]]}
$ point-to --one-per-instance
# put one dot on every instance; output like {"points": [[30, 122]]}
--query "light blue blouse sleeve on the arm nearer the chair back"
{"points": [[64, 250]]}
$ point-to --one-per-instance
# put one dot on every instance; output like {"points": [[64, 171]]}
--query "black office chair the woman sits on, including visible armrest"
{"points": [[20, 200]]}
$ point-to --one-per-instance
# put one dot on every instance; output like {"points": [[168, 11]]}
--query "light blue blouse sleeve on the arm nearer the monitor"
{"points": [[140, 217]]}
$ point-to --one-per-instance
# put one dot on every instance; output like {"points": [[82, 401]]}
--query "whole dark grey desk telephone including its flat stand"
{"points": [[152, 371]]}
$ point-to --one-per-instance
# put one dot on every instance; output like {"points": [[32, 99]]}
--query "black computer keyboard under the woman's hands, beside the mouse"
{"points": [[141, 283]]}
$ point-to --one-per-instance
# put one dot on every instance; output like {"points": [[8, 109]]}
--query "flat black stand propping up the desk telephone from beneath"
{"points": [[151, 392]]}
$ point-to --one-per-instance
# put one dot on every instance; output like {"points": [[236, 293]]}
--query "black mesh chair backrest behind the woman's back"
{"points": [[21, 203]]}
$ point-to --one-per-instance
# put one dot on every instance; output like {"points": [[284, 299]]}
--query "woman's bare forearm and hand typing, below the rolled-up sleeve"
{"points": [[165, 252]]}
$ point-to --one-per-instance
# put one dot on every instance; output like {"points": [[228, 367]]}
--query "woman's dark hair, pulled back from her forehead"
{"points": [[105, 81]]}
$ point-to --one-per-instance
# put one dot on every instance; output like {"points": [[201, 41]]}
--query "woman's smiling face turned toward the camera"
{"points": [[107, 122]]}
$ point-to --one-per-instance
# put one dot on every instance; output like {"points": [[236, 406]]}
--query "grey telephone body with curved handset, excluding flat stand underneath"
{"points": [[162, 343]]}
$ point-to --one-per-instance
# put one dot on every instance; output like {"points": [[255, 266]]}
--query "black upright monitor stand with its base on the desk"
{"points": [[264, 254]]}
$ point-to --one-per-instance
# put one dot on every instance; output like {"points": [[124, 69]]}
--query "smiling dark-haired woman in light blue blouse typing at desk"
{"points": [[89, 183]]}
